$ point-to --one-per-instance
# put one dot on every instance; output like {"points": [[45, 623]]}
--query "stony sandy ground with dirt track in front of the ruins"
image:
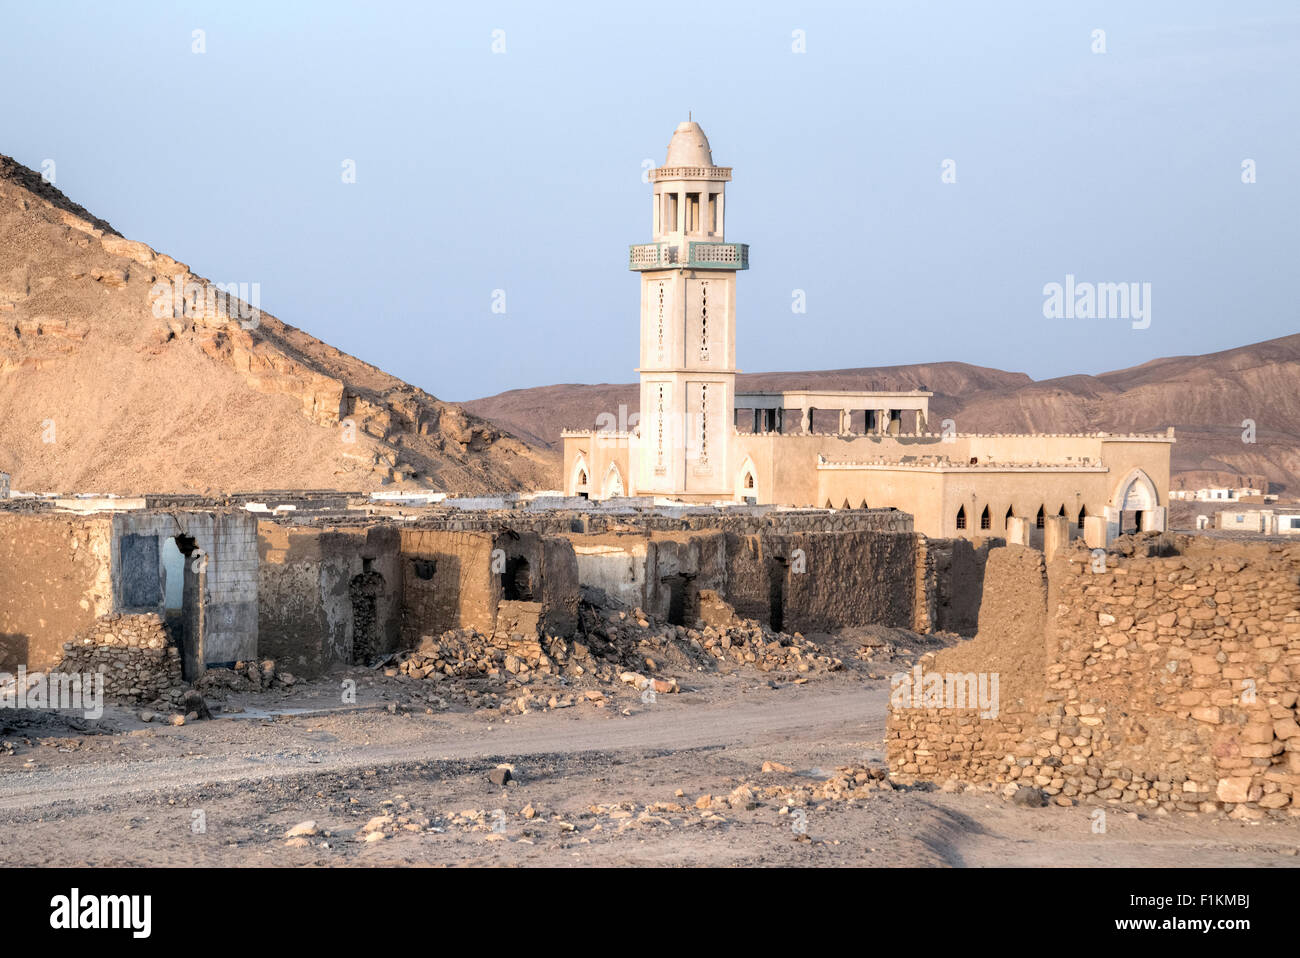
{"points": [[592, 787]]}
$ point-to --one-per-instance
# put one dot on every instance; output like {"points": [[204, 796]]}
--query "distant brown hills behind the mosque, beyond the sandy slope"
{"points": [[1206, 398]]}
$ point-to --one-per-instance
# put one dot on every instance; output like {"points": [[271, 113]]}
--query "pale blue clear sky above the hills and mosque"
{"points": [[499, 154]]}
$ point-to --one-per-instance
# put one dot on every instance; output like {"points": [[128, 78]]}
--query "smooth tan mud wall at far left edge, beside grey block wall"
{"points": [[55, 579]]}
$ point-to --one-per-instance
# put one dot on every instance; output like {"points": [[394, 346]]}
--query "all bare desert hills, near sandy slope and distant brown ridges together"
{"points": [[103, 391]]}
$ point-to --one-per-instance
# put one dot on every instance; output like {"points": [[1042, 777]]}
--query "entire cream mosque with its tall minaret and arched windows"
{"points": [[700, 441]]}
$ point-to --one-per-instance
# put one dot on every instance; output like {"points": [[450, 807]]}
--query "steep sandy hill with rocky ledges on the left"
{"points": [[116, 376]]}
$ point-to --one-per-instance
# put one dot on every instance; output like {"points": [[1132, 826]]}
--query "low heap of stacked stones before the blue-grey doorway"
{"points": [[132, 652]]}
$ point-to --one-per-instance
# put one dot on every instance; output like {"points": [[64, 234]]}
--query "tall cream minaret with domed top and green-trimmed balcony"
{"points": [[688, 327]]}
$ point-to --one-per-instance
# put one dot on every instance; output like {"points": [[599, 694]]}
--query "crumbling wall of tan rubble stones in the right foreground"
{"points": [[1165, 682]]}
